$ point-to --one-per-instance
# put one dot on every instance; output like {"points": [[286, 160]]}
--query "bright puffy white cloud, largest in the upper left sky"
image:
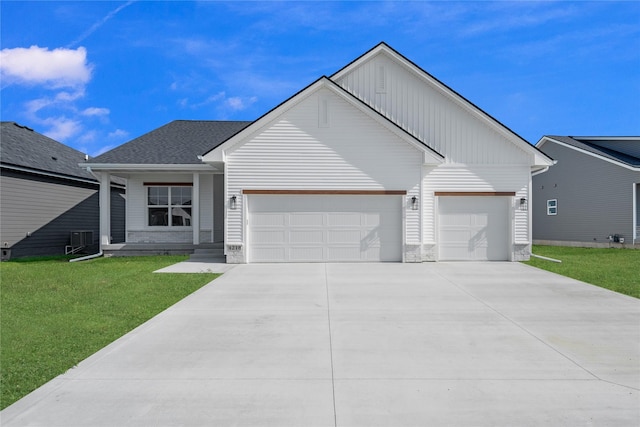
{"points": [[40, 66]]}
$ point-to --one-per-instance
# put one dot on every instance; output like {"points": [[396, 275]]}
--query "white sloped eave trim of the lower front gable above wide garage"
{"points": [[218, 154]]}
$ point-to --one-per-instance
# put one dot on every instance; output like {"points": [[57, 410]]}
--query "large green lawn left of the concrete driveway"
{"points": [[54, 313]]}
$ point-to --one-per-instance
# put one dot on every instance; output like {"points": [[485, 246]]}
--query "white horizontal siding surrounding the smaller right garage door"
{"points": [[476, 178]]}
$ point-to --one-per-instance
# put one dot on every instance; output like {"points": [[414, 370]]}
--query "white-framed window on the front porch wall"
{"points": [[169, 206]]}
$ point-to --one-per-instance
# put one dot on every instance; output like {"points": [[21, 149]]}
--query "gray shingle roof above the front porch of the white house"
{"points": [[177, 142]]}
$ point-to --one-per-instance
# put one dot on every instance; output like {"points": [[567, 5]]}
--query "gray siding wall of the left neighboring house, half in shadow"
{"points": [[48, 208]]}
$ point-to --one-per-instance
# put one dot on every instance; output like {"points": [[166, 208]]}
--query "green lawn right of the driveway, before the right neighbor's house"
{"points": [[614, 269]]}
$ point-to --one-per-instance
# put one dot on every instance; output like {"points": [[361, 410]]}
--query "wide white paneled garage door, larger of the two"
{"points": [[324, 228]]}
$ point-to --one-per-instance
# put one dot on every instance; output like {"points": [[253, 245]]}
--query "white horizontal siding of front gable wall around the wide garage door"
{"points": [[342, 148]]}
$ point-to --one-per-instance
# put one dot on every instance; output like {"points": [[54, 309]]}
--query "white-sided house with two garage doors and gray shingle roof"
{"points": [[379, 162]]}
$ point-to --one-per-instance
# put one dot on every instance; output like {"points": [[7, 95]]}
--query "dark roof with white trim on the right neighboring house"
{"points": [[622, 151]]}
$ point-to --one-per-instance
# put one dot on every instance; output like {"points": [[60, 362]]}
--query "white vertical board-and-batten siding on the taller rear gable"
{"points": [[455, 130]]}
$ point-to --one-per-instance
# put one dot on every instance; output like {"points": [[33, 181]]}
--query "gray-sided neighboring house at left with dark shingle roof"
{"points": [[46, 195]]}
